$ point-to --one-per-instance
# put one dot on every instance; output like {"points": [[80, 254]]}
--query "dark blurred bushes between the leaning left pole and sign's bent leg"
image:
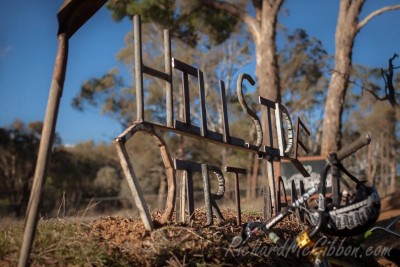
{"points": [[80, 173]]}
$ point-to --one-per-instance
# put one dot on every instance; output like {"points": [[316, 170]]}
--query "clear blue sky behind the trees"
{"points": [[28, 47]]}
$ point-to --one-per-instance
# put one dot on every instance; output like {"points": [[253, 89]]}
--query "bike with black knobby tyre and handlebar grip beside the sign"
{"points": [[348, 212]]}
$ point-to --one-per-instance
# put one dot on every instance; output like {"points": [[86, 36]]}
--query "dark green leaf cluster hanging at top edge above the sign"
{"points": [[189, 21]]}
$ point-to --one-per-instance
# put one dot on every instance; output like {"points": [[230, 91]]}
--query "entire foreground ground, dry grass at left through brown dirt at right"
{"points": [[123, 241]]}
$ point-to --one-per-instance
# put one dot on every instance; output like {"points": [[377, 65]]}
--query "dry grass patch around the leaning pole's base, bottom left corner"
{"points": [[58, 243]]}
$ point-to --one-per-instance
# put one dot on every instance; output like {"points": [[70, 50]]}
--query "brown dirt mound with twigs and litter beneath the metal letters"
{"points": [[193, 245]]}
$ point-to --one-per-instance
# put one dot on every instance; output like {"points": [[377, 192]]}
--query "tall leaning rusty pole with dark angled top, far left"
{"points": [[71, 16]]}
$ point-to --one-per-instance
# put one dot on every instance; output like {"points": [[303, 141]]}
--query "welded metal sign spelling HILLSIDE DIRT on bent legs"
{"points": [[283, 122]]}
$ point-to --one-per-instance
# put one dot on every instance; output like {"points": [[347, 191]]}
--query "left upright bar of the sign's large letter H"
{"points": [[137, 33]]}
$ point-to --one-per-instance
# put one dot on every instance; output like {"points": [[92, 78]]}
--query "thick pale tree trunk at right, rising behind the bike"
{"points": [[346, 31]]}
